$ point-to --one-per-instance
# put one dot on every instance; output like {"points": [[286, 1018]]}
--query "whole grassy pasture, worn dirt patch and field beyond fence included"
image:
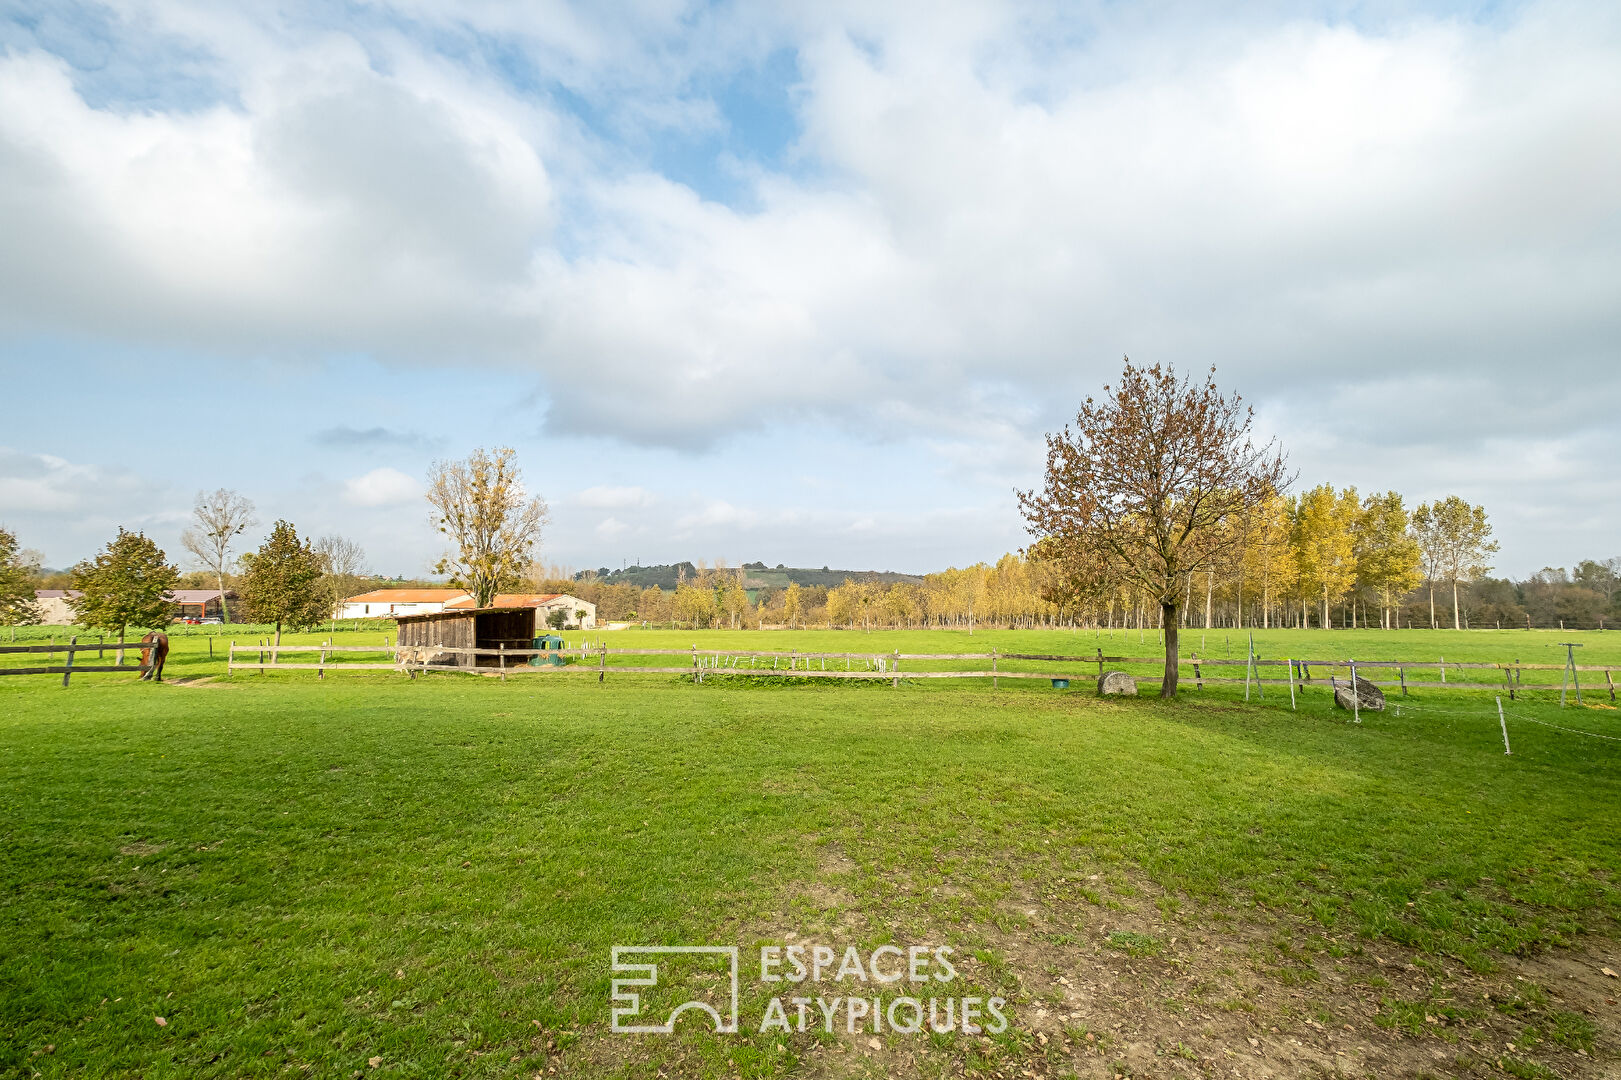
{"points": [[375, 875]]}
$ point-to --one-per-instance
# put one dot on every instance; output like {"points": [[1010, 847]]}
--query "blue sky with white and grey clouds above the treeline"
{"points": [[800, 283]]}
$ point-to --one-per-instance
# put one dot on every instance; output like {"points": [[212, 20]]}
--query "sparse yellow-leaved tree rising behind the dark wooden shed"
{"points": [[495, 525]]}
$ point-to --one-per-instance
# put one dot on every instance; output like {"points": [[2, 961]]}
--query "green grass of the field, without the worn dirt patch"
{"points": [[306, 875]]}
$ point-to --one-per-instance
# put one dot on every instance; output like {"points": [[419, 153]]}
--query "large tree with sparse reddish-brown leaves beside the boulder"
{"points": [[1148, 487]]}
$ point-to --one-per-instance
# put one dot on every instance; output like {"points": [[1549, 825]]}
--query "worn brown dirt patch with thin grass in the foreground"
{"points": [[1131, 987]]}
